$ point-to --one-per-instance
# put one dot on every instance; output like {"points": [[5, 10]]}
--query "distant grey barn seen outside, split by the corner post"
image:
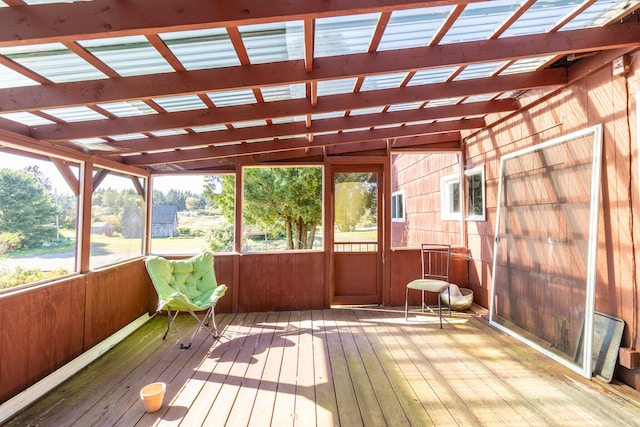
{"points": [[164, 222]]}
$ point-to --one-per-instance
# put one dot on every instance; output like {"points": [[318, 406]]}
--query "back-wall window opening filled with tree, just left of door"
{"points": [[282, 208]]}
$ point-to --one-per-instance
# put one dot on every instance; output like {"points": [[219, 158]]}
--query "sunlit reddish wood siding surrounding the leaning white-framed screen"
{"points": [[599, 98]]}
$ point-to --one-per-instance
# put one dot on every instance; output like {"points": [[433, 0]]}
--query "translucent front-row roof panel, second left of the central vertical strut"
{"points": [[199, 49]]}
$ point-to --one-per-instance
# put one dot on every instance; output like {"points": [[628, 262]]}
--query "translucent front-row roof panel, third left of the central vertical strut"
{"points": [[128, 56]]}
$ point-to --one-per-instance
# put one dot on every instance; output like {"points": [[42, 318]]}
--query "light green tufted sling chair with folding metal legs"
{"points": [[186, 285]]}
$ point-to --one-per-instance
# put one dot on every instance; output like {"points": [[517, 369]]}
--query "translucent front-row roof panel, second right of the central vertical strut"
{"points": [[413, 27]]}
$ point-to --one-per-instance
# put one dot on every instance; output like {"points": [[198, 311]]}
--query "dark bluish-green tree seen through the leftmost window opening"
{"points": [[26, 207]]}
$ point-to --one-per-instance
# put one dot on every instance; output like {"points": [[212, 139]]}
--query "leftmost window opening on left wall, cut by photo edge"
{"points": [[38, 218]]}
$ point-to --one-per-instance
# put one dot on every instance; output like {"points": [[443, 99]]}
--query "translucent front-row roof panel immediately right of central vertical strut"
{"points": [[344, 35]]}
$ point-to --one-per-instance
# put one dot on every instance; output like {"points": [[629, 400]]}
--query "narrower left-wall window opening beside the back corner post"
{"points": [[117, 218]]}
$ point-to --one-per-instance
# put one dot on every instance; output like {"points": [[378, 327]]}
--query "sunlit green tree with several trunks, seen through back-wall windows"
{"points": [[286, 200]]}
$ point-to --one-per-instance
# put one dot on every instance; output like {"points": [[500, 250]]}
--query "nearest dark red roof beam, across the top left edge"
{"points": [[64, 22]]}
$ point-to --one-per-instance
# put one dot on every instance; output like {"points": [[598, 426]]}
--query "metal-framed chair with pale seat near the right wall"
{"points": [[435, 260]]}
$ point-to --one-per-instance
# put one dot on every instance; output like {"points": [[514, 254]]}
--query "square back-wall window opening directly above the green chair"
{"points": [[189, 214]]}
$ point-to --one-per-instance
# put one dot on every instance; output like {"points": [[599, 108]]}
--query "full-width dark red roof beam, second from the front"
{"points": [[291, 72]]}
